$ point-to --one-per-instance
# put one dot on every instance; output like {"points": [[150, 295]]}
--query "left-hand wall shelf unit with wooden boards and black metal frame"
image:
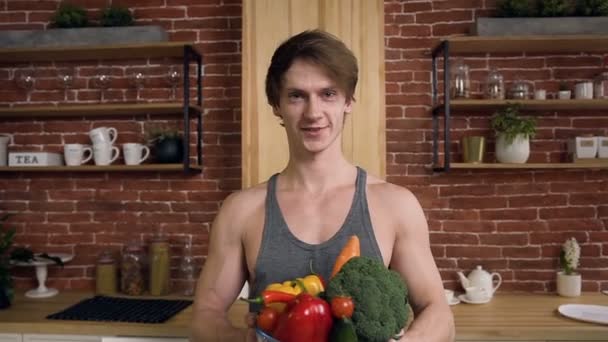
{"points": [[188, 52]]}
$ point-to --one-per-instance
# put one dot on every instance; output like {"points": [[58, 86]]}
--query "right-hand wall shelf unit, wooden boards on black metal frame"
{"points": [[471, 45]]}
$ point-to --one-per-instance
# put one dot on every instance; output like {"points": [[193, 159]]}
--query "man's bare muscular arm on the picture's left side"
{"points": [[221, 280]]}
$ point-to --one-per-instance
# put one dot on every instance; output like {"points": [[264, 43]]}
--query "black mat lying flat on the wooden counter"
{"points": [[129, 310]]}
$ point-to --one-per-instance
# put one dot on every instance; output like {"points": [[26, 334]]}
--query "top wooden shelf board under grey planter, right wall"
{"points": [[548, 44]]}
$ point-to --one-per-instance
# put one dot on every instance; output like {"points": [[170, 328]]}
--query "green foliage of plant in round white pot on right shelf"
{"points": [[507, 122]]}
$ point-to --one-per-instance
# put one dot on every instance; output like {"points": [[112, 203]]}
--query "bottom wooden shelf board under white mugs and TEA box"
{"points": [[109, 168]]}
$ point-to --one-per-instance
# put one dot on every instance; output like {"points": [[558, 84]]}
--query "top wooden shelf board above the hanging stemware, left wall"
{"points": [[96, 52]]}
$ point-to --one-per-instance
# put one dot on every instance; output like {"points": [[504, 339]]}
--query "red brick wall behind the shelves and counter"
{"points": [[512, 222]]}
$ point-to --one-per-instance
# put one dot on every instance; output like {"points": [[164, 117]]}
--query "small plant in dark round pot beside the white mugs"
{"points": [[167, 145]]}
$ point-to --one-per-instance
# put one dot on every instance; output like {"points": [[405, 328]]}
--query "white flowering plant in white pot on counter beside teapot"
{"points": [[568, 280]]}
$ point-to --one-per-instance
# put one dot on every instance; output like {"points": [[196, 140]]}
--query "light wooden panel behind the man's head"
{"points": [[266, 23]]}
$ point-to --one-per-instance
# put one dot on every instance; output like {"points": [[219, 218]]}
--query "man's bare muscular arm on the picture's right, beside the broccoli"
{"points": [[412, 258]]}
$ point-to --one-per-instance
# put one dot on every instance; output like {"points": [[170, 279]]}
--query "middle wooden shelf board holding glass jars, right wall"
{"points": [[527, 105]]}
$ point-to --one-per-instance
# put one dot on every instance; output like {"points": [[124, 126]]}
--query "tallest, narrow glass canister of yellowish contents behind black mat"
{"points": [[159, 265]]}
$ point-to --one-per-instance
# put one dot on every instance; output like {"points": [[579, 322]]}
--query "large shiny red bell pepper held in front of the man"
{"points": [[306, 319]]}
